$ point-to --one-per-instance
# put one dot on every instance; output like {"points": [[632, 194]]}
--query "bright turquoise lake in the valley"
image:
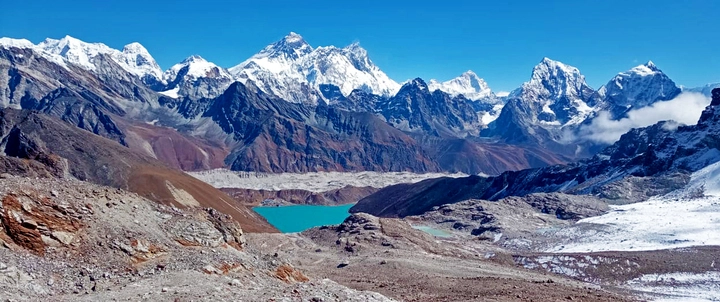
{"points": [[297, 218]]}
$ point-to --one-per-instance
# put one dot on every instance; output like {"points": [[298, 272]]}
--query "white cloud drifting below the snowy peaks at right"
{"points": [[686, 108]]}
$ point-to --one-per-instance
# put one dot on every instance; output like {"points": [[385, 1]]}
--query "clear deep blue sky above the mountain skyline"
{"points": [[499, 40]]}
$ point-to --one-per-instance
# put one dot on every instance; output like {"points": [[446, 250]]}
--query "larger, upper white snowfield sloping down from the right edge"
{"points": [[679, 219]]}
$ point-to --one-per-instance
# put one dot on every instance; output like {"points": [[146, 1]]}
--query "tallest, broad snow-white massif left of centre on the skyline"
{"points": [[289, 67]]}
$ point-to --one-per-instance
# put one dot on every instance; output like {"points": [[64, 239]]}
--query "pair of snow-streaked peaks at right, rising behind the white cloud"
{"points": [[551, 108]]}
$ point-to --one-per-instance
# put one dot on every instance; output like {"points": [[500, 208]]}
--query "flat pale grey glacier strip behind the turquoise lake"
{"points": [[314, 182]]}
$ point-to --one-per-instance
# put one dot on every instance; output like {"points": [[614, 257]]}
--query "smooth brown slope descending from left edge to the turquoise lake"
{"points": [[45, 146]]}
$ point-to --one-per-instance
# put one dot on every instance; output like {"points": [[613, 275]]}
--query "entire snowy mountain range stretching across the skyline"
{"points": [[555, 101]]}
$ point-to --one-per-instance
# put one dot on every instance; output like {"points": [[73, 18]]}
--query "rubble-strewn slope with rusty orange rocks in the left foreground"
{"points": [[68, 240]]}
